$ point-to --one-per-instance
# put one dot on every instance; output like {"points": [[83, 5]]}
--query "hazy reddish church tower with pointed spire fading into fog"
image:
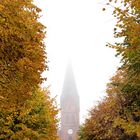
{"points": [[70, 107]]}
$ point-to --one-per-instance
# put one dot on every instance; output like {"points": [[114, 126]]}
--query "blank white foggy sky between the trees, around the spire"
{"points": [[78, 30]]}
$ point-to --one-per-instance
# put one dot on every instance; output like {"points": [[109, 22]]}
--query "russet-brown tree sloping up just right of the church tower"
{"points": [[102, 122]]}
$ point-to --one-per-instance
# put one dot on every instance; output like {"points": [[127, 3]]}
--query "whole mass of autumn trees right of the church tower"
{"points": [[117, 117]]}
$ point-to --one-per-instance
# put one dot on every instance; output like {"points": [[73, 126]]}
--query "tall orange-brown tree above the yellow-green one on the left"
{"points": [[22, 51]]}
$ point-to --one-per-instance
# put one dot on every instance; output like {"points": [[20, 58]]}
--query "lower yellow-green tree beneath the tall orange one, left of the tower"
{"points": [[36, 120]]}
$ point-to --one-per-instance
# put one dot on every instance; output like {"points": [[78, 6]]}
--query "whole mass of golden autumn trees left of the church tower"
{"points": [[27, 112]]}
